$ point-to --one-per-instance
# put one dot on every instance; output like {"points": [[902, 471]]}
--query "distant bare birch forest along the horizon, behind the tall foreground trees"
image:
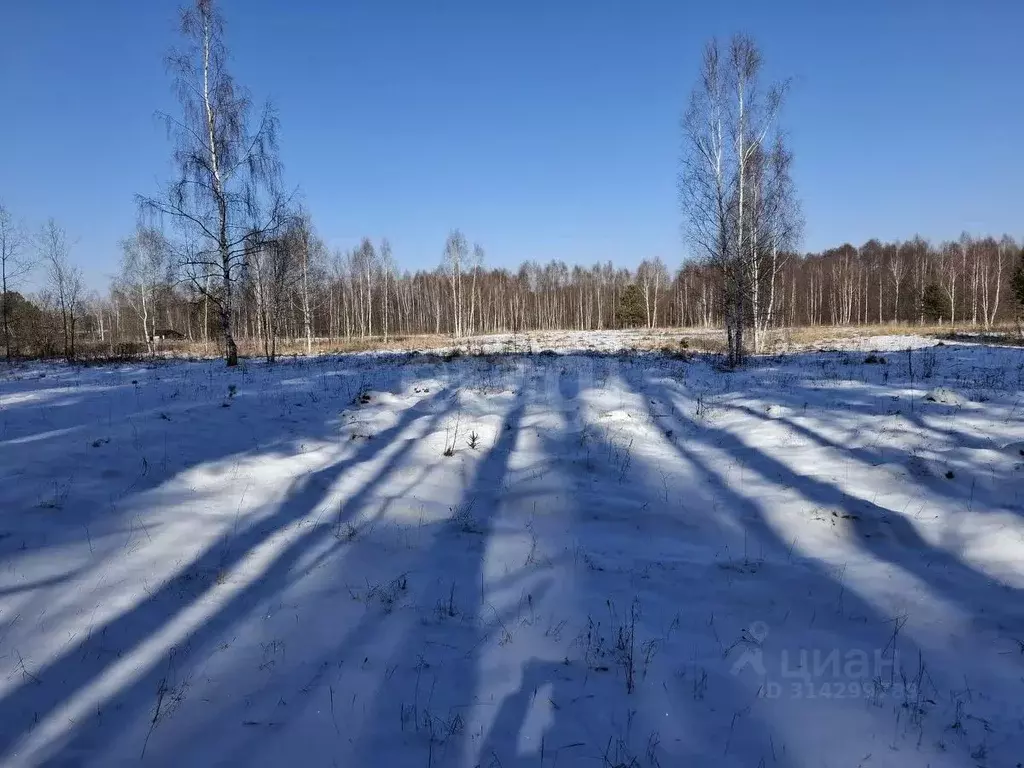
{"points": [[303, 290]]}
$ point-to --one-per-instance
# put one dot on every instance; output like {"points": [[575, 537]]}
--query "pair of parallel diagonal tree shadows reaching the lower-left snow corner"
{"points": [[41, 694]]}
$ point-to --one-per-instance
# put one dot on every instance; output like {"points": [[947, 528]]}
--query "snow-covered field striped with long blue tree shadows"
{"points": [[625, 561]]}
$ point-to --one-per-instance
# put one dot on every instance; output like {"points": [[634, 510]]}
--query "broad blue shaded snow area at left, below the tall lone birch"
{"points": [[86, 488]]}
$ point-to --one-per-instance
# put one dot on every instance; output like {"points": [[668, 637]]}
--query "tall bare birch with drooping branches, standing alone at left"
{"points": [[226, 198]]}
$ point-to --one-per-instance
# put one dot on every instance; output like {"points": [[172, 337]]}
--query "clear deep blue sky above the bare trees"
{"points": [[542, 129]]}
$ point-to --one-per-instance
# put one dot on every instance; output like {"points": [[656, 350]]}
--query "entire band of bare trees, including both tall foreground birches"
{"points": [[223, 253]]}
